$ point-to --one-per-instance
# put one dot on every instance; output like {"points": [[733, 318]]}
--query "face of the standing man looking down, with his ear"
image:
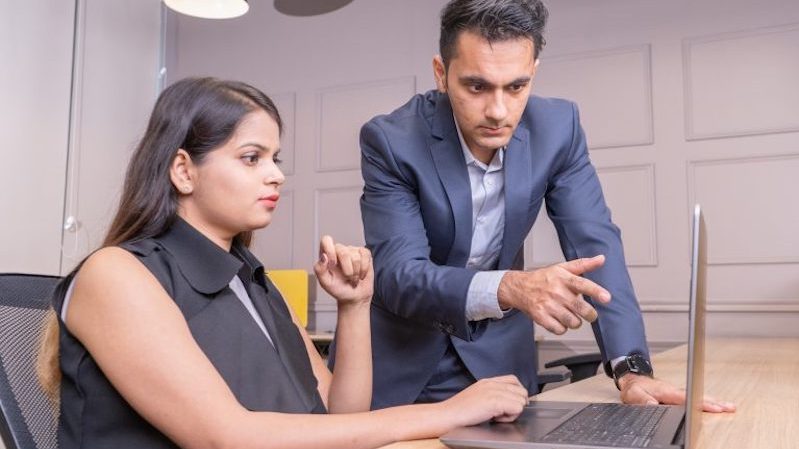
{"points": [[488, 85]]}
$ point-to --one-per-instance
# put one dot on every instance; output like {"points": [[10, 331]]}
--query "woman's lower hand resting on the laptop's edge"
{"points": [[500, 398]]}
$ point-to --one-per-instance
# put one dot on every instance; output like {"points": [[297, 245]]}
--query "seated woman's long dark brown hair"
{"points": [[197, 115]]}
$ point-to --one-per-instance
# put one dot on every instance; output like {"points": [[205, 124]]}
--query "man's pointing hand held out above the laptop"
{"points": [[553, 296]]}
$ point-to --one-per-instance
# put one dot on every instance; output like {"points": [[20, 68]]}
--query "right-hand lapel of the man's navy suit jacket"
{"points": [[518, 190]]}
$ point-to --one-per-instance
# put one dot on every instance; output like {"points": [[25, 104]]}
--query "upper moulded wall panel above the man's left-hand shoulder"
{"points": [[344, 109]]}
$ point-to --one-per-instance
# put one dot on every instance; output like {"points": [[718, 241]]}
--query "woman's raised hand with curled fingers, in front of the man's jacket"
{"points": [[345, 272]]}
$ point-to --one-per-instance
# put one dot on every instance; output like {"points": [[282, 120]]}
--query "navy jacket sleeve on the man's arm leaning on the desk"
{"points": [[577, 208]]}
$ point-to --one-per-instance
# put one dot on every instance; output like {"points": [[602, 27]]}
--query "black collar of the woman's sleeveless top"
{"points": [[206, 266]]}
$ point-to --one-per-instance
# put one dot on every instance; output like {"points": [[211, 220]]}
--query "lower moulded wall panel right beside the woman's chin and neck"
{"points": [[274, 245]]}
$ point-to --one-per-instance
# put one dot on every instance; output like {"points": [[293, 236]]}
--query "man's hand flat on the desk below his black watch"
{"points": [[637, 389]]}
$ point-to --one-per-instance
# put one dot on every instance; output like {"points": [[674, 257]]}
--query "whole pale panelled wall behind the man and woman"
{"points": [[682, 101]]}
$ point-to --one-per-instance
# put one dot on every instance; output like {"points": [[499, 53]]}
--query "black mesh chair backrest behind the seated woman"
{"points": [[27, 418]]}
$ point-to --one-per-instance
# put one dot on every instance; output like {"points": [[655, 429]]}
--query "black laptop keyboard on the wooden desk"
{"points": [[611, 425]]}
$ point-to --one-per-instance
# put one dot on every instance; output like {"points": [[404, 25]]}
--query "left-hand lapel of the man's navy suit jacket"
{"points": [[451, 166]]}
